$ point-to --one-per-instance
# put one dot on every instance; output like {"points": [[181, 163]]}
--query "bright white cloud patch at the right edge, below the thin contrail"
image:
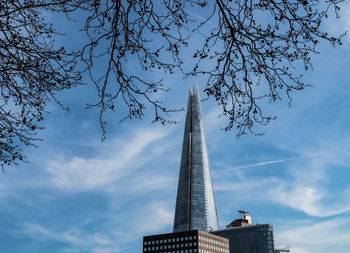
{"points": [[306, 190]]}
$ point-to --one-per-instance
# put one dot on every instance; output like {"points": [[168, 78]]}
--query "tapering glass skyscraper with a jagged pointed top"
{"points": [[195, 203]]}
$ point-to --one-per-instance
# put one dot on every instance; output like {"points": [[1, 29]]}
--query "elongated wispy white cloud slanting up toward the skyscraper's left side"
{"points": [[119, 160]]}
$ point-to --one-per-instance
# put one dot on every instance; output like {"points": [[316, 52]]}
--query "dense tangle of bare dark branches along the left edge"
{"points": [[31, 71]]}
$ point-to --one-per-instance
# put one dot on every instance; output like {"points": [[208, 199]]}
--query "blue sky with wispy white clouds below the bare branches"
{"points": [[78, 194]]}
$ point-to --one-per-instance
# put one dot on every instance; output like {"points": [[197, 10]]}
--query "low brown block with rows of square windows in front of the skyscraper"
{"points": [[194, 241]]}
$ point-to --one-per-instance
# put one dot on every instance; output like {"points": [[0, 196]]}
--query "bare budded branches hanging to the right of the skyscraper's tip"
{"points": [[255, 48]]}
